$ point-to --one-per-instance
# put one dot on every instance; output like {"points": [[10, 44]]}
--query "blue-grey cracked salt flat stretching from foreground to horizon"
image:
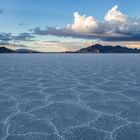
{"points": [[69, 97]]}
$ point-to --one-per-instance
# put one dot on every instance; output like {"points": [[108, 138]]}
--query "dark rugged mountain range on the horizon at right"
{"points": [[97, 48]]}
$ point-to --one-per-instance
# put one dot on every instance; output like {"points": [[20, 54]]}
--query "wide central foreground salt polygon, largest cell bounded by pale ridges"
{"points": [[73, 114]]}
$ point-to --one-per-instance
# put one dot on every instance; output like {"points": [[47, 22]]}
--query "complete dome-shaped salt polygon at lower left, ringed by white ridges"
{"points": [[24, 124]]}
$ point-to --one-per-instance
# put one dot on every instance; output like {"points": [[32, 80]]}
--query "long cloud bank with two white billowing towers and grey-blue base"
{"points": [[116, 27]]}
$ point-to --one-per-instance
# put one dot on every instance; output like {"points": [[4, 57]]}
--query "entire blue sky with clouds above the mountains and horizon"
{"points": [[67, 25]]}
